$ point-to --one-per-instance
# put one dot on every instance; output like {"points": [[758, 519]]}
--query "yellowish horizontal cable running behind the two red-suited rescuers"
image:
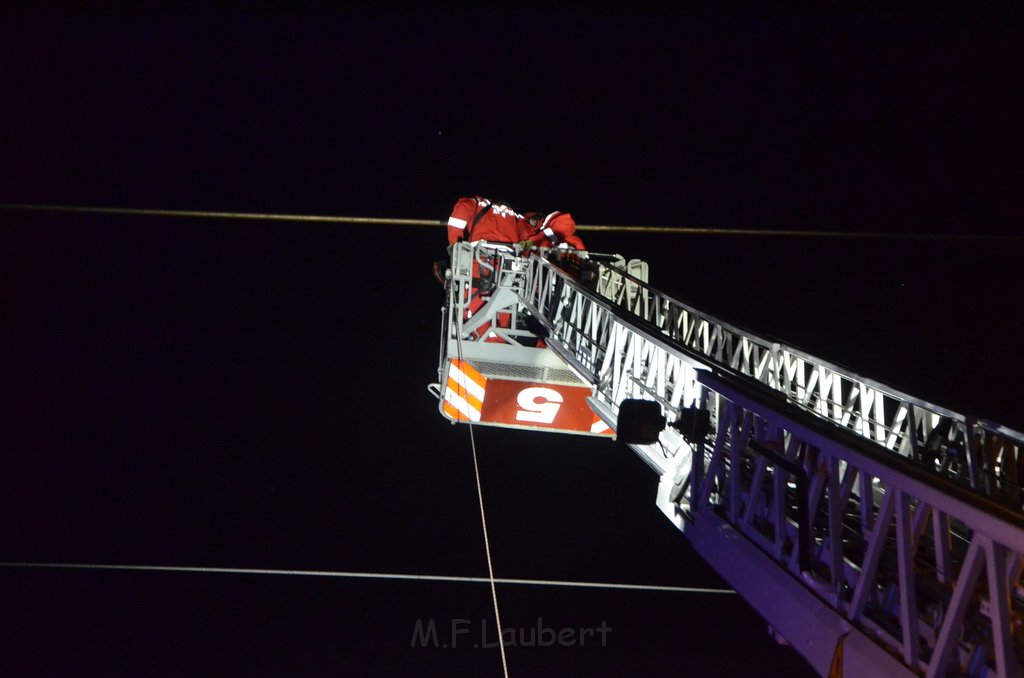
{"points": [[434, 224]]}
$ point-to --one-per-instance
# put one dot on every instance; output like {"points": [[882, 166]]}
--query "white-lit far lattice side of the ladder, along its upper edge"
{"points": [[978, 454]]}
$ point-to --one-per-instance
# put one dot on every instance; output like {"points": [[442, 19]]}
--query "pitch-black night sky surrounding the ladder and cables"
{"points": [[252, 395]]}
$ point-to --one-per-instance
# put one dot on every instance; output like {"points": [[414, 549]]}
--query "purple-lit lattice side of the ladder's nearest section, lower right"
{"points": [[916, 564]]}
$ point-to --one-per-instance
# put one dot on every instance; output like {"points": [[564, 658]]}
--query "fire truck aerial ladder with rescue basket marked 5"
{"points": [[876, 533]]}
